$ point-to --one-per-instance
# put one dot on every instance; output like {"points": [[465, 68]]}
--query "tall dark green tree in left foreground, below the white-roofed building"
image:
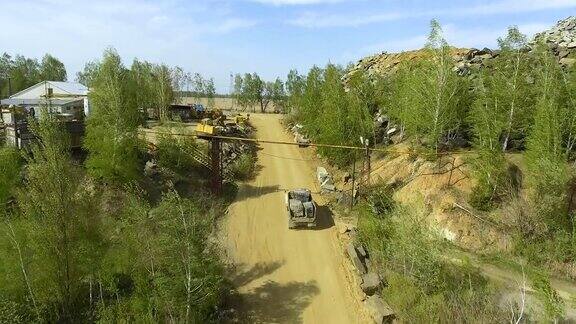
{"points": [[53, 206]]}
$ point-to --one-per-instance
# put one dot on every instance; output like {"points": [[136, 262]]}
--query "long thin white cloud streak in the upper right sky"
{"points": [[317, 20]]}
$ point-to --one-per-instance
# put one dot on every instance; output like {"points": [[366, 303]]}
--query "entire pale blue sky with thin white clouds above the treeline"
{"points": [[217, 37]]}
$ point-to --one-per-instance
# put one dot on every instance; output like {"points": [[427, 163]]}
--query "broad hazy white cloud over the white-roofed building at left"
{"points": [[174, 32]]}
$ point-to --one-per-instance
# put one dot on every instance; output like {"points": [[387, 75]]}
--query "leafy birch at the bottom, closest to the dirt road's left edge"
{"points": [[190, 275]]}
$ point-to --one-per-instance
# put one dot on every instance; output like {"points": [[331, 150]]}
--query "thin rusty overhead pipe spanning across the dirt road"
{"points": [[264, 141]]}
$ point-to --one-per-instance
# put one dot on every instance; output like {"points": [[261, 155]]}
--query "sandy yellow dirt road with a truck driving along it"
{"points": [[284, 276]]}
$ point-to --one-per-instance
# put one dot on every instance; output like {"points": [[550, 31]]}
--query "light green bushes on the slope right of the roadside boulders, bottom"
{"points": [[422, 285]]}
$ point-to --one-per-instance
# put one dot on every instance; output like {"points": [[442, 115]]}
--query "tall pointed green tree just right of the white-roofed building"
{"points": [[111, 134]]}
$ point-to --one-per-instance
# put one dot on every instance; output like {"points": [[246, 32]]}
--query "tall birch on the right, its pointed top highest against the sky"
{"points": [[431, 100]]}
